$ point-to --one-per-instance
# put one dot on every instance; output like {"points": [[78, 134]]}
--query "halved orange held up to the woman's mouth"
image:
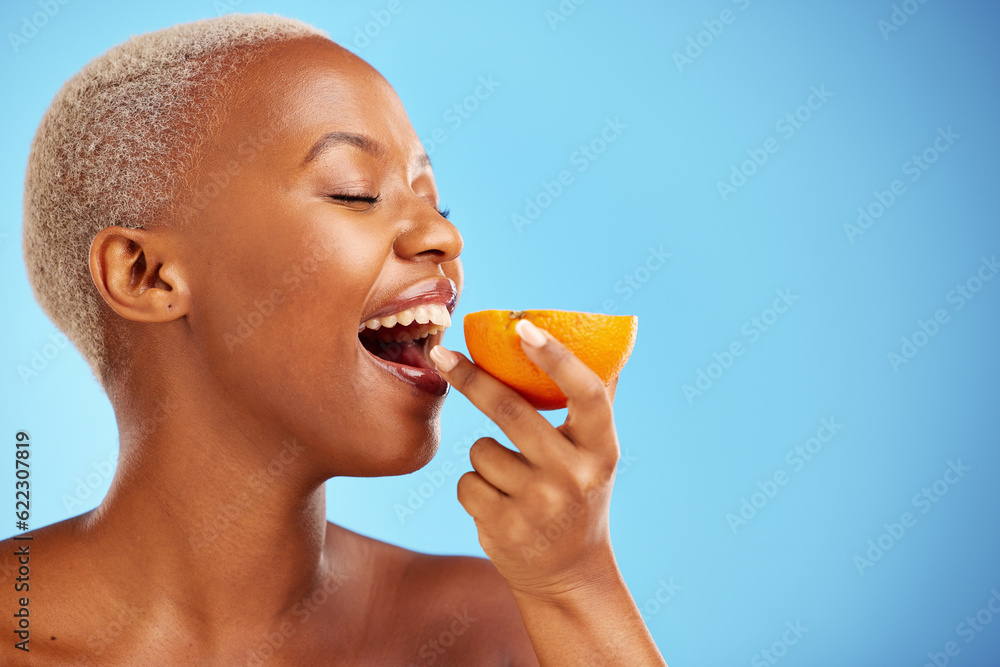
{"points": [[603, 342]]}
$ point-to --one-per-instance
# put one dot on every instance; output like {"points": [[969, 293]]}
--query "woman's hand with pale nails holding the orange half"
{"points": [[542, 514]]}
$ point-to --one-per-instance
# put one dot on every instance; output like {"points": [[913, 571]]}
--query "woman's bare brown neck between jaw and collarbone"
{"points": [[211, 514]]}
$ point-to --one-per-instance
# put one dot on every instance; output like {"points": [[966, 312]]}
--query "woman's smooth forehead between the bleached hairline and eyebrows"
{"points": [[306, 88]]}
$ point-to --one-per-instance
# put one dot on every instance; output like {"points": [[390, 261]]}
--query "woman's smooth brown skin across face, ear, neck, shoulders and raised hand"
{"points": [[143, 579]]}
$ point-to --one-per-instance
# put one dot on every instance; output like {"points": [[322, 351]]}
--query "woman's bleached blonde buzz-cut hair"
{"points": [[114, 148]]}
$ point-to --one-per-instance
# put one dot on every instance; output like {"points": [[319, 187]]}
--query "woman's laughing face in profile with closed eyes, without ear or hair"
{"points": [[316, 211]]}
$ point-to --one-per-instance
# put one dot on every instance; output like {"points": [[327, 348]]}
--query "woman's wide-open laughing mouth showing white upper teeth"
{"points": [[401, 342]]}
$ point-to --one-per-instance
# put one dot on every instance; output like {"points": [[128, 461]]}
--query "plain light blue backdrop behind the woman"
{"points": [[690, 459]]}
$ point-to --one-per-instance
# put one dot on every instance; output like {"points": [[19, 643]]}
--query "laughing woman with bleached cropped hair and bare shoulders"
{"points": [[213, 213]]}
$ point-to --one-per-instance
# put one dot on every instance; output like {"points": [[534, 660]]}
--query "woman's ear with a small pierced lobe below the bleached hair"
{"points": [[138, 275]]}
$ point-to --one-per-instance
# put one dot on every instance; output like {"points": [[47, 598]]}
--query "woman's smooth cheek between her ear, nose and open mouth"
{"points": [[276, 305]]}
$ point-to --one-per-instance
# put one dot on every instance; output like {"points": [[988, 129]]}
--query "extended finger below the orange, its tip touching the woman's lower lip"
{"points": [[509, 410]]}
